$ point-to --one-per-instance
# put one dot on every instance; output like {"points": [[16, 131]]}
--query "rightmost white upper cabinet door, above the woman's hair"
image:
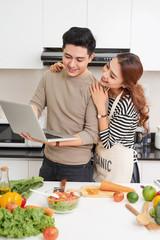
{"points": [[145, 36]]}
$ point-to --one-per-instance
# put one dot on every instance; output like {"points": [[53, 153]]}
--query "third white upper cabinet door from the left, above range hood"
{"points": [[110, 22]]}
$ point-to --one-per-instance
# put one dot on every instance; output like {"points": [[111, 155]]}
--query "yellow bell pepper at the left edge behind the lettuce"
{"points": [[10, 197]]}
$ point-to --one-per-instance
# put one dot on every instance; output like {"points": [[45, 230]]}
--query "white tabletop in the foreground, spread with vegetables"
{"points": [[96, 218]]}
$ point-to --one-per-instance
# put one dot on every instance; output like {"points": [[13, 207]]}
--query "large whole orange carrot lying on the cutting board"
{"points": [[109, 186]]}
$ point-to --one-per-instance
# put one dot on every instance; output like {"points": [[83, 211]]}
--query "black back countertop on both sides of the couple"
{"points": [[144, 153]]}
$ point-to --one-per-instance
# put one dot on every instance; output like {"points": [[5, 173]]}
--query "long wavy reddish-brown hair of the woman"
{"points": [[132, 70]]}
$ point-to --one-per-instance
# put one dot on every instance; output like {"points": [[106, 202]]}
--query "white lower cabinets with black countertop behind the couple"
{"points": [[26, 162]]}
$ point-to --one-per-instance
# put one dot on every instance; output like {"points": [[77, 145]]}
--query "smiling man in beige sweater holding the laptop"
{"points": [[70, 110]]}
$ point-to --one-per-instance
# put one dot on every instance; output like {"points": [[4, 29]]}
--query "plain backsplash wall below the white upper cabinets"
{"points": [[19, 85]]}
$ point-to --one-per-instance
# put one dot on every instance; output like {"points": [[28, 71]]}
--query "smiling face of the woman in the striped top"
{"points": [[112, 77]]}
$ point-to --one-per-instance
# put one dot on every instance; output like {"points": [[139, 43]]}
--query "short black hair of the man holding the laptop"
{"points": [[80, 37]]}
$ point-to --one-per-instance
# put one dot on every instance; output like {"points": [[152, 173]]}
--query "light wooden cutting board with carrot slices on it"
{"points": [[93, 192]]}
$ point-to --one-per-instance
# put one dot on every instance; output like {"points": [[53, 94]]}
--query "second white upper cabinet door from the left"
{"points": [[59, 16]]}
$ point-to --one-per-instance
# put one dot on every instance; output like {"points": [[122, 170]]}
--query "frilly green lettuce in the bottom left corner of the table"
{"points": [[23, 223]]}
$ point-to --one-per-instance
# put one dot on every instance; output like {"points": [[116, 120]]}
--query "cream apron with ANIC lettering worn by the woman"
{"points": [[116, 163]]}
